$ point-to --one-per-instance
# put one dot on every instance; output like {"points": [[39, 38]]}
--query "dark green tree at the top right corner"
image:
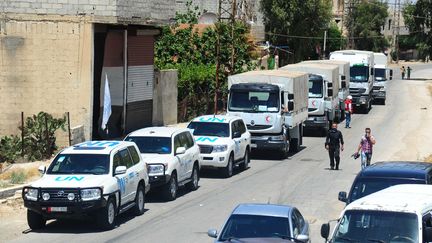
{"points": [[418, 19]]}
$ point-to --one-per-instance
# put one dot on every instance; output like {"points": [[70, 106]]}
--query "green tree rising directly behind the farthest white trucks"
{"points": [[364, 23]]}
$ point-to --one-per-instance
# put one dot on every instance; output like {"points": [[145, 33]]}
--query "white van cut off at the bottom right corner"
{"points": [[401, 213]]}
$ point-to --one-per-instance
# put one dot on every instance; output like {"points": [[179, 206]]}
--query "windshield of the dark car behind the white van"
{"points": [[370, 185]]}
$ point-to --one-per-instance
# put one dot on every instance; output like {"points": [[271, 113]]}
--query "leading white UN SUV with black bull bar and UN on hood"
{"points": [[96, 178]]}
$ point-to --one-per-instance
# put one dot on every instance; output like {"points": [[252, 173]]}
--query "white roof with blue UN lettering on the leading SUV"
{"points": [[95, 147]]}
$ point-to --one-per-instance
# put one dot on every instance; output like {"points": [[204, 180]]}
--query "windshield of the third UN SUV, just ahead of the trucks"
{"points": [[209, 129]]}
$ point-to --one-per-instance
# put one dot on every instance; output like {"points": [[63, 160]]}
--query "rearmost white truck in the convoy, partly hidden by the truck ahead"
{"points": [[382, 74]]}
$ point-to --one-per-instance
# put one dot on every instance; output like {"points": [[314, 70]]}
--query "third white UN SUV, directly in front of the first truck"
{"points": [[224, 142]]}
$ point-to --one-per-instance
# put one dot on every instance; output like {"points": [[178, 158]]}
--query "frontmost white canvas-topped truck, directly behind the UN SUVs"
{"points": [[273, 104]]}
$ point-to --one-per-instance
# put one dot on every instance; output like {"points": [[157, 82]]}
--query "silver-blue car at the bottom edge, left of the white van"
{"points": [[263, 223]]}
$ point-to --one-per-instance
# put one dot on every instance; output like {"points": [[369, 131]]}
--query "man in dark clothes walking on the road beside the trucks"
{"points": [[334, 144]]}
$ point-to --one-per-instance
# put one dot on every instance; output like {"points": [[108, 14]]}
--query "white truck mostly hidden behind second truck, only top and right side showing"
{"points": [[344, 77]]}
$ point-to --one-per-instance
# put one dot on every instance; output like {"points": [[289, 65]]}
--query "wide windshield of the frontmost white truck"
{"points": [[253, 101]]}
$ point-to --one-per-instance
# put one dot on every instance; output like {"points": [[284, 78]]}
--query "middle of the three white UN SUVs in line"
{"points": [[172, 158]]}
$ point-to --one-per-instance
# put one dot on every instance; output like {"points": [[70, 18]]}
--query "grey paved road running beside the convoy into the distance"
{"points": [[302, 180]]}
